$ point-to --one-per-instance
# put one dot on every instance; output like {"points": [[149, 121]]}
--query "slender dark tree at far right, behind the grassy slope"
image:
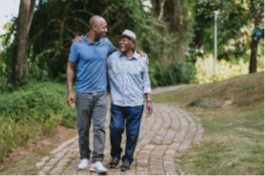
{"points": [[256, 12]]}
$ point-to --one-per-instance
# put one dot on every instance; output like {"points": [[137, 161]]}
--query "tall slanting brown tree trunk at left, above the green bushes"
{"points": [[26, 11]]}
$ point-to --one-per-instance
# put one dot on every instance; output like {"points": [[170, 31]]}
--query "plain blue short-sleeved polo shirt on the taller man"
{"points": [[90, 60]]}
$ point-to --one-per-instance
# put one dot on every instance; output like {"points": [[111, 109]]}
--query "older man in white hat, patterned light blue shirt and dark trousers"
{"points": [[130, 85]]}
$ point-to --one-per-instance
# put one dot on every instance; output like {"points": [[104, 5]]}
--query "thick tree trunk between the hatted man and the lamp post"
{"points": [[180, 23]]}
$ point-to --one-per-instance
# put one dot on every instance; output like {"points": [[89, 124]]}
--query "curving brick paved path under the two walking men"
{"points": [[163, 137]]}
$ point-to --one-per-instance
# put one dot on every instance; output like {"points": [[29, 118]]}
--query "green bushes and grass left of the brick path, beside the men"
{"points": [[38, 107]]}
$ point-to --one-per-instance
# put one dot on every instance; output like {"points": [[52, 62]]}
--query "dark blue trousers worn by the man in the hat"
{"points": [[129, 118]]}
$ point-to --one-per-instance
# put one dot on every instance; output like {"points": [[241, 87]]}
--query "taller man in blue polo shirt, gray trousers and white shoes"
{"points": [[87, 64]]}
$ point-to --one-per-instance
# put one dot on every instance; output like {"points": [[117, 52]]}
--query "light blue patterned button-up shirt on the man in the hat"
{"points": [[129, 79]]}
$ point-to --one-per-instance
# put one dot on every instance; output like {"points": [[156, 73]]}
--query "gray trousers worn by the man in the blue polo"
{"points": [[91, 106]]}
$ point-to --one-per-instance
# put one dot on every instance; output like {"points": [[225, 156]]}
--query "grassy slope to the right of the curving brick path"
{"points": [[232, 114]]}
